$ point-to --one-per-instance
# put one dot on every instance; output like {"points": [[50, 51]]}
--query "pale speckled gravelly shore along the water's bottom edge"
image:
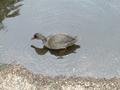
{"points": [[16, 77]]}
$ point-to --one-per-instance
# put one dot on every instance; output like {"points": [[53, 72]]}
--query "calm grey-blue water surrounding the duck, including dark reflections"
{"points": [[96, 23]]}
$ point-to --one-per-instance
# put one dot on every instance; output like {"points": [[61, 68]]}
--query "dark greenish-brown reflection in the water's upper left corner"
{"points": [[8, 9]]}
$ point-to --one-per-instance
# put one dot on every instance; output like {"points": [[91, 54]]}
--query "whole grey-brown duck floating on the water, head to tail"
{"points": [[57, 41]]}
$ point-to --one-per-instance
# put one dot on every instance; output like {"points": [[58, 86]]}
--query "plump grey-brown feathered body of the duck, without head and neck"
{"points": [[59, 41]]}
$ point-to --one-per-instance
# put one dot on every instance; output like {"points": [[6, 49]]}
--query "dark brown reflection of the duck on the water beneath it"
{"points": [[58, 53]]}
